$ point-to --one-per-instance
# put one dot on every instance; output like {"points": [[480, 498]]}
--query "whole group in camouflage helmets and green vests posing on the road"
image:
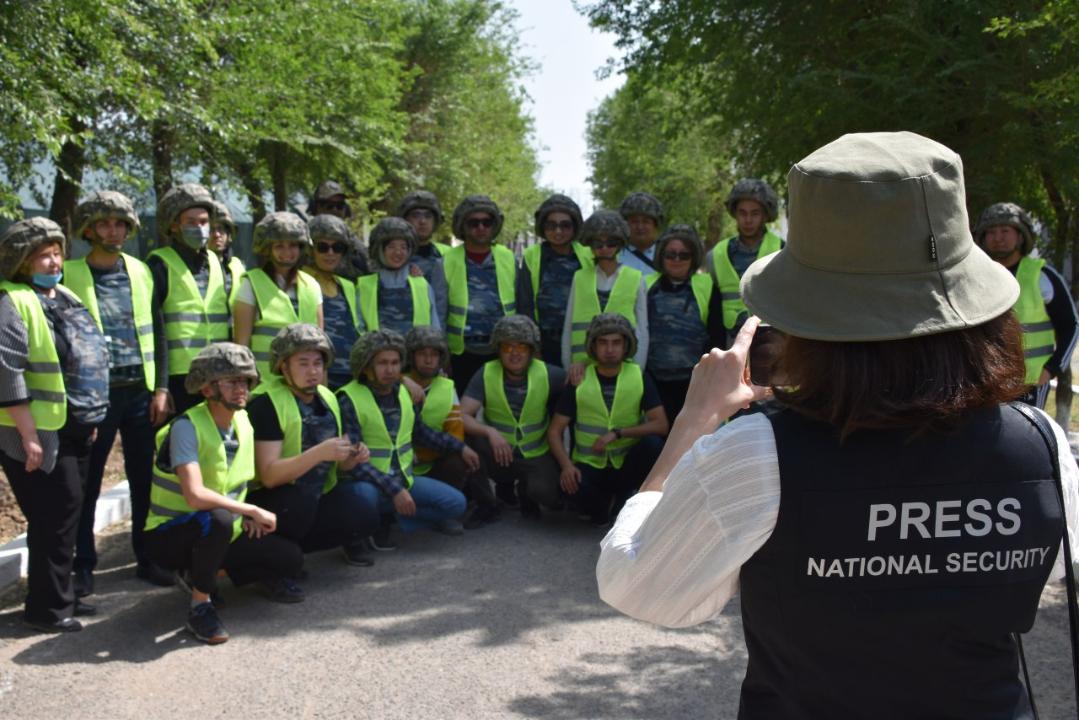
{"points": [[335, 393]]}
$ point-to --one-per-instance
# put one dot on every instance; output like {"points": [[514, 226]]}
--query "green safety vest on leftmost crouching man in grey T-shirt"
{"points": [[167, 496]]}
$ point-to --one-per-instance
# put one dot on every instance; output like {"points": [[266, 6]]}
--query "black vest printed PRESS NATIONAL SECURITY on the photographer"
{"points": [[898, 570]]}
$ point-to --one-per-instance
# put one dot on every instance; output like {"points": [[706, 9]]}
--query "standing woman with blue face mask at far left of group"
{"points": [[54, 390]]}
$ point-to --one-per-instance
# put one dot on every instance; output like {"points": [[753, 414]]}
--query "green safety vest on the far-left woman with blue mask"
{"points": [[45, 381]]}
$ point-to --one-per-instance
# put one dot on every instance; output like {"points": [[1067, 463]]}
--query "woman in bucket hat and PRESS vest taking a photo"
{"points": [[892, 522]]}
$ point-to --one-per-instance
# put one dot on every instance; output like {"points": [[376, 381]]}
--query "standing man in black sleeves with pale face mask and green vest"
{"points": [[189, 294]]}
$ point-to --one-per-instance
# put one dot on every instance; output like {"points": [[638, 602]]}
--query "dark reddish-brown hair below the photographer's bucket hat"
{"points": [[923, 384]]}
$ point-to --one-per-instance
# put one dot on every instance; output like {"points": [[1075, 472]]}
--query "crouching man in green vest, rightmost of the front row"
{"points": [[619, 424]]}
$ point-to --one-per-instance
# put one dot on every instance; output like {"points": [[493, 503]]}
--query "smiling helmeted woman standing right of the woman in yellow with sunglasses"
{"points": [[394, 298]]}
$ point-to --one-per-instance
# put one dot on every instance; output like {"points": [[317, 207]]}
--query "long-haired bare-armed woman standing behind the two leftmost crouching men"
{"points": [[278, 293]]}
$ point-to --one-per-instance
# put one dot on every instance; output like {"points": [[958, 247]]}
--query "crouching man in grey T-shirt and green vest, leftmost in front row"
{"points": [[199, 522]]}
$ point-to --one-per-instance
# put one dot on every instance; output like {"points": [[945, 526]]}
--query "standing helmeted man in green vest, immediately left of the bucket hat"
{"points": [[753, 203]]}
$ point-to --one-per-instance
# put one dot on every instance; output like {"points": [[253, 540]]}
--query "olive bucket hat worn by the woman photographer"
{"points": [[879, 248]]}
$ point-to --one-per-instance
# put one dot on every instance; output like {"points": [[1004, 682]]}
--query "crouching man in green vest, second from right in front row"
{"points": [[517, 393]]}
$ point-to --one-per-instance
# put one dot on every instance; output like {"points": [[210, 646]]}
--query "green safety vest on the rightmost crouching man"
{"points": [[594, 420]]}
